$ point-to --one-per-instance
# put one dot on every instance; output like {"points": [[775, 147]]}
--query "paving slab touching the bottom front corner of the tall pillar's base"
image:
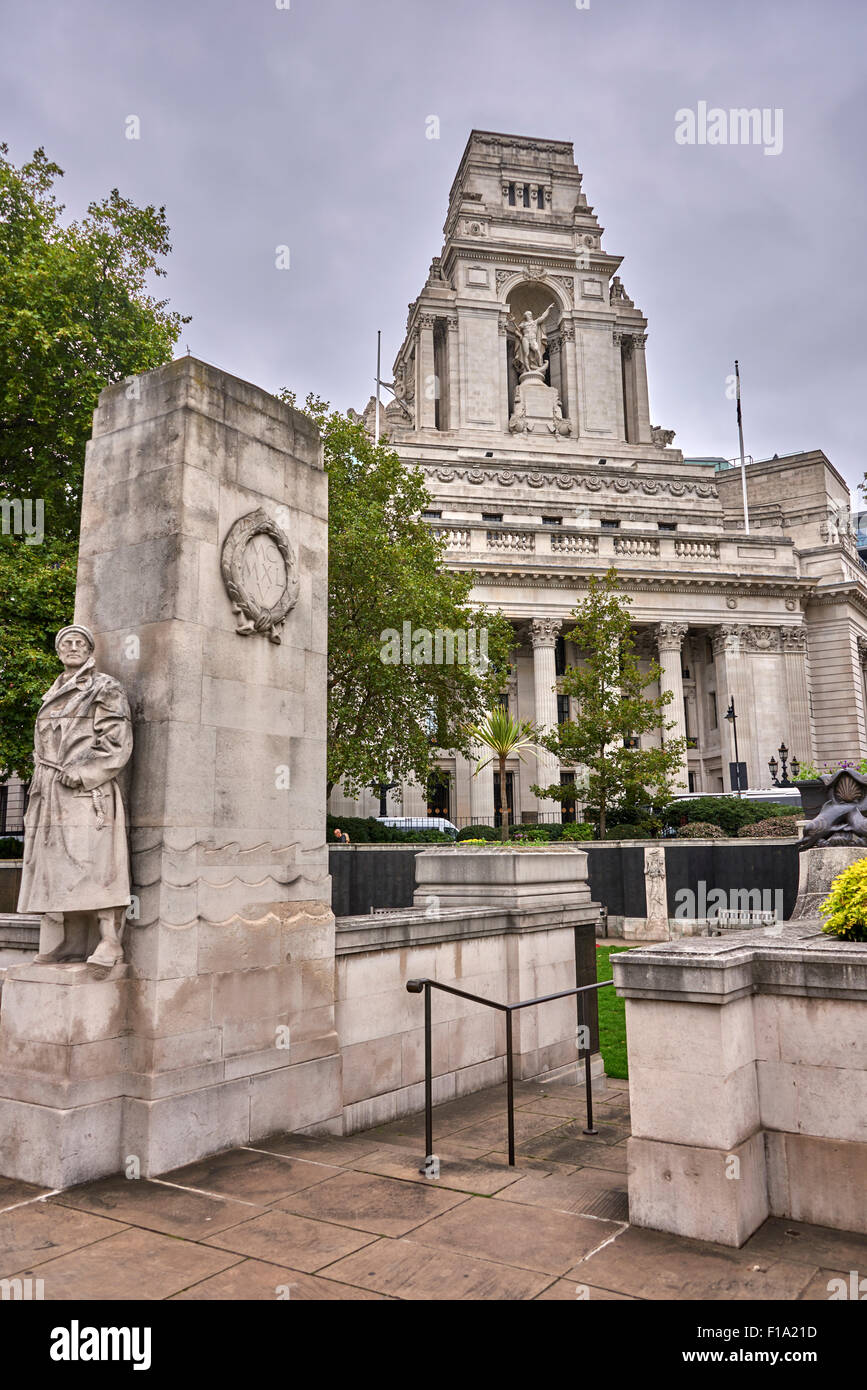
{"points": [[155, 1207]]}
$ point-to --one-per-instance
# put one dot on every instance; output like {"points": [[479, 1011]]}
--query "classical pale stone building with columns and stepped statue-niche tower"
{"points": [[522, 394]]}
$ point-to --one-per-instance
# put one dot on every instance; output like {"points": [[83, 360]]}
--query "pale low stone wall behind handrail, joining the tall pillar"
{"points": [[499, 956]]}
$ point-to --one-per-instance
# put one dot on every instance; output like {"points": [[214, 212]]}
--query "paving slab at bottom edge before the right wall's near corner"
{"points": [[651, 1264]]}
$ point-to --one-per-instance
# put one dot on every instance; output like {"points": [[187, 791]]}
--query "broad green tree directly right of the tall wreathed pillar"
{"points": [[395, 618]]}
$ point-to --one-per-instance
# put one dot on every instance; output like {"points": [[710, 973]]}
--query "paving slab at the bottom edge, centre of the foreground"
{"points": [[408, 1271]]}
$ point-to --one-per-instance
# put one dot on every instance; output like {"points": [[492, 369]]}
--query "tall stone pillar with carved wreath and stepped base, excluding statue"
{"points": [[222, 1027]]}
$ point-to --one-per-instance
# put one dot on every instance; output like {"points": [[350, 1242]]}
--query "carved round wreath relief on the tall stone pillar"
{"points": [[261, 575]]}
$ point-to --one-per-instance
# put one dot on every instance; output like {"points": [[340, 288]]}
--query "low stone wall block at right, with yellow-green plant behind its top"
{"points": [[748, 1082]]}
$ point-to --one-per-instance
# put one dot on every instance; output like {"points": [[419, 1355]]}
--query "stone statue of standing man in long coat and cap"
{"points": [[76, 856]]}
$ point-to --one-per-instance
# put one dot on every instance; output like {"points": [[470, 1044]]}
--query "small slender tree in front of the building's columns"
{"points": [[612, 710]]}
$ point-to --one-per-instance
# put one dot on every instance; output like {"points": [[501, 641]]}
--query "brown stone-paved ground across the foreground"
{"points": [[354, 1218]]}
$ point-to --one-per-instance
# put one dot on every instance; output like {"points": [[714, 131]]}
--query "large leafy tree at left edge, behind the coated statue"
{"points": [[76, 316]]}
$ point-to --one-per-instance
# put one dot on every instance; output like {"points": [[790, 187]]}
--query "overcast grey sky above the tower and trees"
{"points": [[306, 127]]}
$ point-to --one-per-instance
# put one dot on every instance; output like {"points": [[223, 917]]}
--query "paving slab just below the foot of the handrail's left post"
{"points": [[365, 1202]]}
